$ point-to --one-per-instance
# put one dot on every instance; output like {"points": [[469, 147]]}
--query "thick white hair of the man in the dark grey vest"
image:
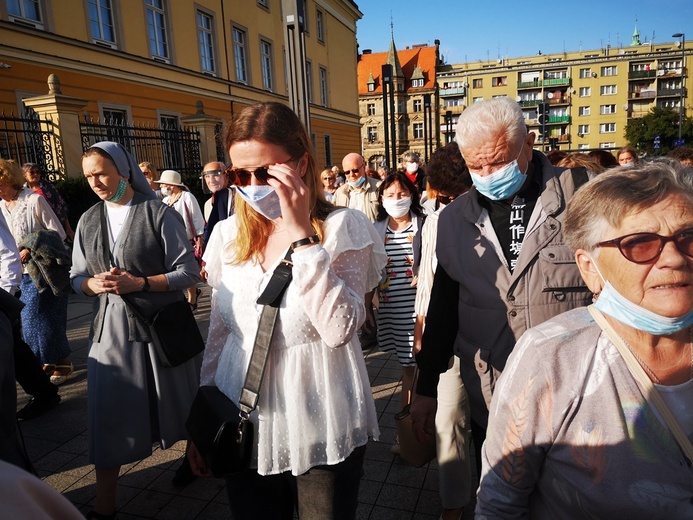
{"points": [[486, 119]]}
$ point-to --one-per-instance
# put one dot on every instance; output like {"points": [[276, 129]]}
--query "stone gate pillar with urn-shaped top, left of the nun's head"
{"points": [[64, 112]]}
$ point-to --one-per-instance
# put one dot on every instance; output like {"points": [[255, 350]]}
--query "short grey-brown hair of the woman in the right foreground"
{"points": [[617, 193]]}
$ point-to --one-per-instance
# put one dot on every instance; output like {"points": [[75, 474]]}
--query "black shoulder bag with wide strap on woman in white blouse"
{"points": [[221, 431]]}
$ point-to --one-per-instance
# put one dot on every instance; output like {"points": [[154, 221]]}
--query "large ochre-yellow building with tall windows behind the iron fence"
{"points": [[167, 63]]}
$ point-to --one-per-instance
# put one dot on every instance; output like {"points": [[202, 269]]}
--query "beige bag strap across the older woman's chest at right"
{"points": [[650, 393]]}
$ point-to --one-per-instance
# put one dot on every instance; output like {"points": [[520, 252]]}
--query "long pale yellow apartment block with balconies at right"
{"points": [[589, 96]]}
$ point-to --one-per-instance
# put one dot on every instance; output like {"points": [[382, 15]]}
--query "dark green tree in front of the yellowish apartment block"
{"points": [[663, 122]]}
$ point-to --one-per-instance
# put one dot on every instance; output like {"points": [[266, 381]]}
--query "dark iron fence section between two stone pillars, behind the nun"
{"points": [[166, 147]]}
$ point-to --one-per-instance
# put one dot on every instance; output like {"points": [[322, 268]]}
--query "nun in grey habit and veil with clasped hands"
{"points": [[133, 401]]}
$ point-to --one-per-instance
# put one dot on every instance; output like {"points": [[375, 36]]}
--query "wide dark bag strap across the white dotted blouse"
{"points": [[271, 297]]}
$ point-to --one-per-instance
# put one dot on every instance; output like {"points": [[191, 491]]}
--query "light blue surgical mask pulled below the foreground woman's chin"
{"points": [[613, 303]]}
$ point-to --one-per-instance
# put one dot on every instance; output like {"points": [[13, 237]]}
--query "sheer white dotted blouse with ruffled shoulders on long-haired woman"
{"points": [[316, 404]]}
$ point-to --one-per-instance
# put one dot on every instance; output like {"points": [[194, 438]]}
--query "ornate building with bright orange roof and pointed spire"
{"points": [[414, 107]]}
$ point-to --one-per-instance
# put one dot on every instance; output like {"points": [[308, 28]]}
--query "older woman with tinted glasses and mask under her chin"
{"points": [[592, 416]]}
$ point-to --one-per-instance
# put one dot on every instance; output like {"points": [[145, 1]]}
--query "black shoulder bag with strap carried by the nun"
{"points": [[173, 329]]}
